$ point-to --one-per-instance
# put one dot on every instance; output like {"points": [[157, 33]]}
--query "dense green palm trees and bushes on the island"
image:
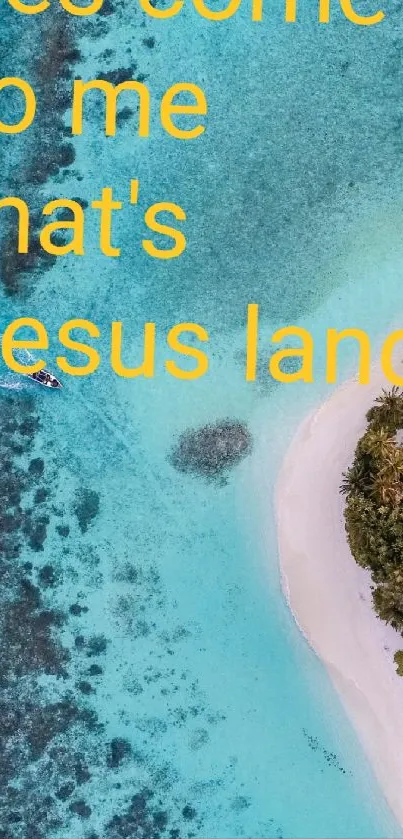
{"points": [[373, 486]]}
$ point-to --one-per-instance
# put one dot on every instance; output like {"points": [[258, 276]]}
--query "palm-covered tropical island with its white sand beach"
{"points": [[341, 560]]}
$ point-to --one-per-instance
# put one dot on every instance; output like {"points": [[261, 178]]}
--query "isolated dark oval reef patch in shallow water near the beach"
{"points": [[212, 450]]}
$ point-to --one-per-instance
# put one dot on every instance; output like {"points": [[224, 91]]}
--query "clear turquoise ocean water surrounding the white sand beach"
{"points": [[158, 686]]}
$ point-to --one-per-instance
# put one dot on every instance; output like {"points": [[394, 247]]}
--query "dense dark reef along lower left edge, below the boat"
{"points": [[30, 724]]}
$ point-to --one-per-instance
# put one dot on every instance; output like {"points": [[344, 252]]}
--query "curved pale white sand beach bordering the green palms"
{"points": [[328, 593]]}
